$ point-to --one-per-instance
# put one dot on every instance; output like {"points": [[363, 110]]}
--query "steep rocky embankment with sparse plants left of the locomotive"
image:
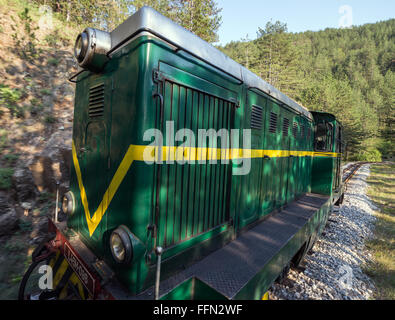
{"points": [[36, 114]]}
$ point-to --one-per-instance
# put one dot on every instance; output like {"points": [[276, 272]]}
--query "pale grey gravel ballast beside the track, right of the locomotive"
{"points": [[334, 268]]}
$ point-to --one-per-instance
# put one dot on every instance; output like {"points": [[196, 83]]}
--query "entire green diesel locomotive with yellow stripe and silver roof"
{"points": [[191, 177]]}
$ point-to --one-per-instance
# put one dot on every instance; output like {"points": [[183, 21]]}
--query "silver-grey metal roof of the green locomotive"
{"points": [[148, 19]]}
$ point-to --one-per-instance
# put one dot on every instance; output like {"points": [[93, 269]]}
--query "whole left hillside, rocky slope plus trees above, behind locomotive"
{"points": [[36, 107]]}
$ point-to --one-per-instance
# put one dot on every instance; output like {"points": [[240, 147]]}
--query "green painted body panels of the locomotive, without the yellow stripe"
{"points": [[192, 206]]}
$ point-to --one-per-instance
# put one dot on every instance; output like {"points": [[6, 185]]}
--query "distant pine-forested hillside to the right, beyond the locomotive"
{"points": [[347, 72]]}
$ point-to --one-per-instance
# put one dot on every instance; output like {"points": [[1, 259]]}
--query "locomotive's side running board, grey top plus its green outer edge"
{"points": [[246, 267]]}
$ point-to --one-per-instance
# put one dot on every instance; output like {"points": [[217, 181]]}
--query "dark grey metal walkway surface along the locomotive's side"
{"points": [[229, 269]]}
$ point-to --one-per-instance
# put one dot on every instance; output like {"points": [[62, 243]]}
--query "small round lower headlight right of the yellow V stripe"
{"points": [[121, 245]]}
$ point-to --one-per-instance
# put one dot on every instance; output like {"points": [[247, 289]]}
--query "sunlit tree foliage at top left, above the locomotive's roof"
{"points": [[199, 16]]}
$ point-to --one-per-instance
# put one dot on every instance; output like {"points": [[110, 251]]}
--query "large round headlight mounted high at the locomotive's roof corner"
{"points": [[91, 47]]}
